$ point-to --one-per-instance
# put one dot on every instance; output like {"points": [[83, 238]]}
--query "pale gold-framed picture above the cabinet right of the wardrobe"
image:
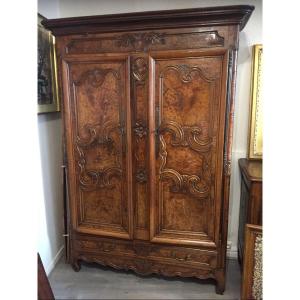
{"points": [[255, 148]]}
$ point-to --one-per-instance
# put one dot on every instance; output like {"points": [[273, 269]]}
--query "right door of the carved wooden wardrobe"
{"points": [[187, 120]]}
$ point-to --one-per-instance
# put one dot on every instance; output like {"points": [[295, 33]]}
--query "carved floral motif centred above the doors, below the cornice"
{"points": [[140, 41]]}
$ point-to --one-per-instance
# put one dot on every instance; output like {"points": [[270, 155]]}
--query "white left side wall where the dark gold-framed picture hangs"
{"points": [[50, 215]]}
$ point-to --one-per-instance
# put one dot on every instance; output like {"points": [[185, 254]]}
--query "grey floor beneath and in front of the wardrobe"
{"points": [[96, 282]]}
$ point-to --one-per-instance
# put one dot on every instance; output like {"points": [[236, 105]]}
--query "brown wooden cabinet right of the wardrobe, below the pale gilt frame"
{"points": [[251, 199]]}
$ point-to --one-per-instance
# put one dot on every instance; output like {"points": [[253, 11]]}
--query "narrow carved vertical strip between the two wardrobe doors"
{"points": [[139, 86]]}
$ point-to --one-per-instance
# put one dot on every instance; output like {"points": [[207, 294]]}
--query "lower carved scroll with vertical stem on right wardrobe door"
{"points": [[182, 183]]}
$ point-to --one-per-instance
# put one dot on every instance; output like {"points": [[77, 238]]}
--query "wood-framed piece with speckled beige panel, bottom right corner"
{"points": [[252, 265]]}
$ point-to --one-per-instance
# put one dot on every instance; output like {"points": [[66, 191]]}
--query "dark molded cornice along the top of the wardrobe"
{"points": [[192, 17]]}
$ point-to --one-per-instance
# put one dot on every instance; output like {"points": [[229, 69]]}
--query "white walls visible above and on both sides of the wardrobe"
{"points": [[50, 127]]}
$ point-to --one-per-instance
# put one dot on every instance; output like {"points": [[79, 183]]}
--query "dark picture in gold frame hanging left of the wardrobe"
{"points": [[48, 100]]}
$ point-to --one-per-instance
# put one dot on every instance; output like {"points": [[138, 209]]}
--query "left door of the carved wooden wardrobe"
{"points": [[96, 92]]}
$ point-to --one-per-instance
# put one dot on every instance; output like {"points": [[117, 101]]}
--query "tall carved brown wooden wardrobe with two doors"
{"points": [[148, 118]]}
